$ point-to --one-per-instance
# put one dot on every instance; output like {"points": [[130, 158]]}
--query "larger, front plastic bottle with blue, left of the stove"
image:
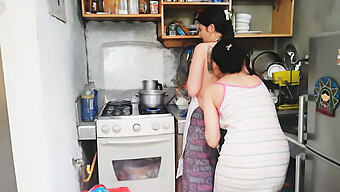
{"points": [[87, 107]]}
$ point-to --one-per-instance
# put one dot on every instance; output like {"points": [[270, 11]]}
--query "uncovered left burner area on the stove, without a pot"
{"points": [[117, 108]]}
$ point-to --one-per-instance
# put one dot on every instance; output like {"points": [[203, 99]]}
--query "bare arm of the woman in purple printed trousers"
{"points": [[194, 82]]}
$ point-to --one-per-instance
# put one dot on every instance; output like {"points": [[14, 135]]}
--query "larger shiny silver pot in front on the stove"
{"points": [[151, 98]]}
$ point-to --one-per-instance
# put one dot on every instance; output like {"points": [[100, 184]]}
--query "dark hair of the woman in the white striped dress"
{"points": [[231, 56]]}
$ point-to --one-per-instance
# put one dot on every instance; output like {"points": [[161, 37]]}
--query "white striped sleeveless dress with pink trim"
{"points": [[255, 154]]}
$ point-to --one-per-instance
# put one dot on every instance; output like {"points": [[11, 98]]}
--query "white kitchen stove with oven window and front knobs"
{"points": [[136, 147]]}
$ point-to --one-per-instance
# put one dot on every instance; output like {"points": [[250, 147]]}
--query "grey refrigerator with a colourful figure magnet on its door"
{"points": [[318, 169]]}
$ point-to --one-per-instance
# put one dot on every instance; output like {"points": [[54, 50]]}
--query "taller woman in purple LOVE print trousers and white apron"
{"points": [[198, 160]]}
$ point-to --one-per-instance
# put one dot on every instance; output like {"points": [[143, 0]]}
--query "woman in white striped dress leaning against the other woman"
{"points": [[255, 152]]}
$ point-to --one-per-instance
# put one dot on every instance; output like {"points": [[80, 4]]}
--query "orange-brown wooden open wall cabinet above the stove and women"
{"points": [[274, 18]]}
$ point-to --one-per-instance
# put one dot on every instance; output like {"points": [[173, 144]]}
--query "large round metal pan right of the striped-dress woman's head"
{"points": [[262, 61]]}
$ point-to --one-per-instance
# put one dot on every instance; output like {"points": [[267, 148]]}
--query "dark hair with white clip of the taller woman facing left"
{"points": [[218, 17]]}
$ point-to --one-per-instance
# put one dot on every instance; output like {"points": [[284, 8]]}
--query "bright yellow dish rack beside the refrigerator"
{"points": [[288, 79]]}
